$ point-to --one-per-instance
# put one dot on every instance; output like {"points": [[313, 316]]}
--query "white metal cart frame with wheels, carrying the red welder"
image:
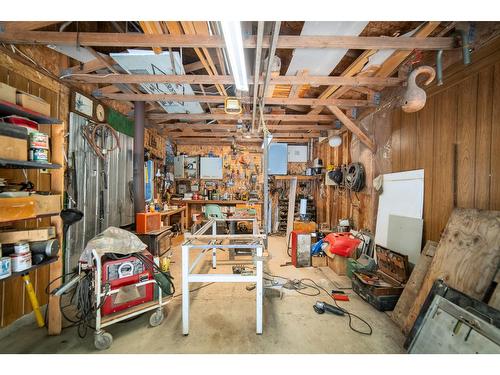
{"points": [[102, 339]]}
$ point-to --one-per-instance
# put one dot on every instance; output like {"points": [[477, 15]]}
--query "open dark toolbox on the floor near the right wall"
{"points": [[382, 287]]}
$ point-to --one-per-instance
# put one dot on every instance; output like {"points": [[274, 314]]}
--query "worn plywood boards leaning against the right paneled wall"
{"points": [[467, 258]]}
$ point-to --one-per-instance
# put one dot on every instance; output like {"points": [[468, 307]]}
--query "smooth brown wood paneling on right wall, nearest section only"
{"points": [[455, 138]]}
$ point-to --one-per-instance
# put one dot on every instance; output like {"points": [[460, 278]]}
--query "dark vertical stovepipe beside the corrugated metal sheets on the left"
{"points": [[139, 116]]}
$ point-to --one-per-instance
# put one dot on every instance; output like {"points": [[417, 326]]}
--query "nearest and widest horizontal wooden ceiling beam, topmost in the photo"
{"points": [[126, 40]]}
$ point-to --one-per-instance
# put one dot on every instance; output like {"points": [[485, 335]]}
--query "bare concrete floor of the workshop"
{"points": [[223, 321]]}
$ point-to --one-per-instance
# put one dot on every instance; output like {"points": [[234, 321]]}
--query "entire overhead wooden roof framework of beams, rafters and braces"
{"points": [[200, 36]]}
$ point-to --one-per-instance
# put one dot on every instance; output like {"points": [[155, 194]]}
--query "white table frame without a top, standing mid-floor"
{"points": [[213, 241]]}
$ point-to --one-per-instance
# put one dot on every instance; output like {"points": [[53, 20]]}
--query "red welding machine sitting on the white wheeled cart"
{"points": [[123, 274]]}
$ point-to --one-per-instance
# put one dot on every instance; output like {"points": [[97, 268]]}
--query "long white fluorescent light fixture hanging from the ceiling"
{"points": [[234, 45]]}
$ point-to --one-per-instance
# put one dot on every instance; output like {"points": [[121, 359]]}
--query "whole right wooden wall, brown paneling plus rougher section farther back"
{"points": [[455, 138]]}
